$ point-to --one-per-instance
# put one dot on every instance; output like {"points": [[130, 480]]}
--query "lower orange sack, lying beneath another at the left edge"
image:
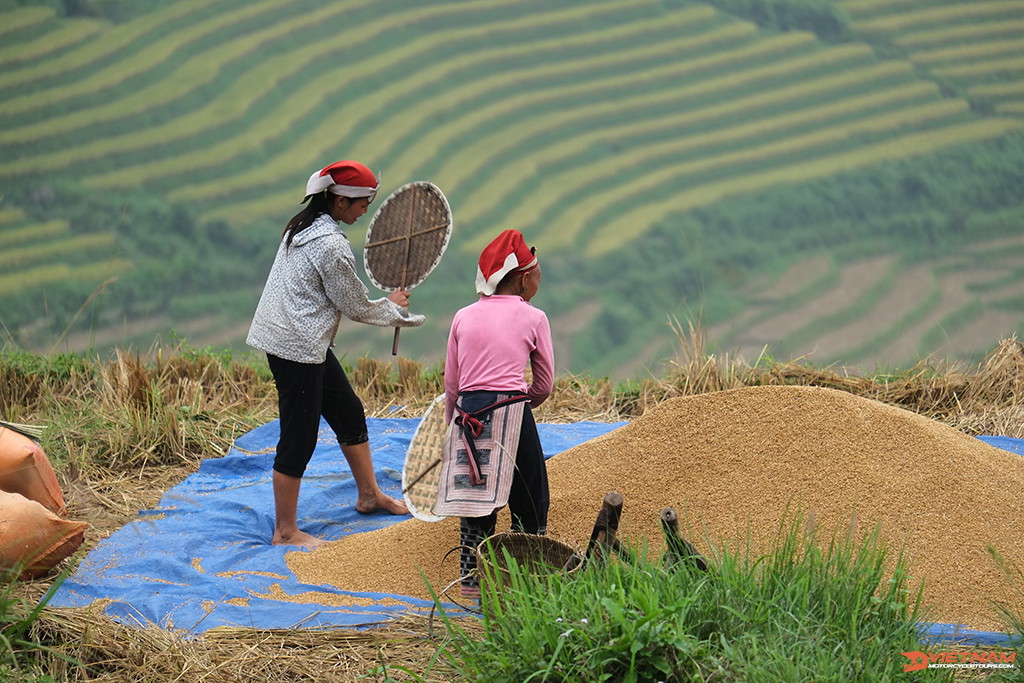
{"points": [[33, 539]]}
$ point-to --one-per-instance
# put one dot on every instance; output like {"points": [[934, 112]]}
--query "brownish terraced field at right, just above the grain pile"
{"points": [[882, 313]]}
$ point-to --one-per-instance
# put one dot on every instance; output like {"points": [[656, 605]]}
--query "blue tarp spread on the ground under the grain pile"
{"points": [[199, 560]]}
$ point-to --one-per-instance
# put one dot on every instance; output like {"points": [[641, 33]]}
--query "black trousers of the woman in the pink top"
{"points": [[529, 498]]}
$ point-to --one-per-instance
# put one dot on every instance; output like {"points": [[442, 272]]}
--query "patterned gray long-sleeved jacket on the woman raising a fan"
{"points": [[314, 283]]}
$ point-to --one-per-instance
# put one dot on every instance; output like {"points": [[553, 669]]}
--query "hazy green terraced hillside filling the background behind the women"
{"points": [[841, 179]]}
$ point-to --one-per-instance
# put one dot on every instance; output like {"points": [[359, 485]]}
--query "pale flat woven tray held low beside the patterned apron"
{"points": [[421, 474]]}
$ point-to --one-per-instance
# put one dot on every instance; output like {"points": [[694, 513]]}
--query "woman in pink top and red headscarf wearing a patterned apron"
{"points": [[493, 453]]}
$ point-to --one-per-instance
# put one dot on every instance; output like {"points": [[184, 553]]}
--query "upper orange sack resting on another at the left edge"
{"points": [[25, 469]]}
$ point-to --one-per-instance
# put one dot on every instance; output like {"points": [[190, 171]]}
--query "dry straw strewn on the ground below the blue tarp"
{"points": [[111, 652]]}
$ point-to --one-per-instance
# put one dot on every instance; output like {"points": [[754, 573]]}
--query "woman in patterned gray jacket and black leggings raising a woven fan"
{"points": [[314, 283]]}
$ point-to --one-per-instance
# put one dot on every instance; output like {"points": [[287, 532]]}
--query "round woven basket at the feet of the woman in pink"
{"points": [[534, 554]]}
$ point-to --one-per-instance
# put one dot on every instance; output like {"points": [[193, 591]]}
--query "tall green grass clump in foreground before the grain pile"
{"points": [[843, 611]]}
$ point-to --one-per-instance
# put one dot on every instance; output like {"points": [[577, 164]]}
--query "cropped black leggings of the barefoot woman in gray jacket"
{"points": [[307, 392]]}
